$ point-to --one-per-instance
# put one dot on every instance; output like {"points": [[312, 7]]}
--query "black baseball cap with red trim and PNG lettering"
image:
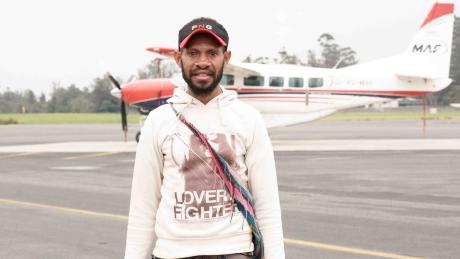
{"points": [[203, 25]]}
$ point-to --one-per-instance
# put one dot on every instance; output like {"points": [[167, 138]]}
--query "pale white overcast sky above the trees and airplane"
{"points": [[74, 41]]}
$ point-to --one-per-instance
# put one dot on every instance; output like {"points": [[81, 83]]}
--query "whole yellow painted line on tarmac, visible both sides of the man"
{"points": [[288, 241]]}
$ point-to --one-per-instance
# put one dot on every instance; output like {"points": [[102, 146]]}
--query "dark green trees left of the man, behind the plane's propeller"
{"points": [[95, 98]]}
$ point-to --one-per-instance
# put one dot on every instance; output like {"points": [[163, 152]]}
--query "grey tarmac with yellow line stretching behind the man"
{"points": [[366, 189]]}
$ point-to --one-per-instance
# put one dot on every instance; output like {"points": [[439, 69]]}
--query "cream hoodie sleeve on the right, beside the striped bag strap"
{"points": [[264, 188]]}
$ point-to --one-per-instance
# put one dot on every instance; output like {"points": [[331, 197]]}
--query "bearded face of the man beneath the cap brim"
{"points": [[202, 61]]}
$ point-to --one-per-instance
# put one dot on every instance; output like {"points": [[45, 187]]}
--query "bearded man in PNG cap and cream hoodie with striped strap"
{"points": [[204, 182]]}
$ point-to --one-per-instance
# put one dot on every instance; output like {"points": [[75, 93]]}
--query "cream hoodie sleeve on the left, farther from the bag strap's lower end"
{"points": [[145, 195]]}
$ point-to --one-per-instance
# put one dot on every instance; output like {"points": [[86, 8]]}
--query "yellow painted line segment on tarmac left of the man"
{"points": [[64, 209]]}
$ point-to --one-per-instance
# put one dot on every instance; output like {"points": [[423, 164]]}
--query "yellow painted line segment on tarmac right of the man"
{"points": [[345, 249]]}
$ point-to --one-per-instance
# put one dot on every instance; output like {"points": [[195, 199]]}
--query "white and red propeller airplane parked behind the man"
{"points": [[291, 94]]}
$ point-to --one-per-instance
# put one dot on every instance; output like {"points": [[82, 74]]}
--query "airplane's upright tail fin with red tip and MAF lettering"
{"points": [[428, 55]]}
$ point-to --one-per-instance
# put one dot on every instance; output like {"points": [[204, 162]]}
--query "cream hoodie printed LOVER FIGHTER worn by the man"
{"points": [[176, 197]]}
